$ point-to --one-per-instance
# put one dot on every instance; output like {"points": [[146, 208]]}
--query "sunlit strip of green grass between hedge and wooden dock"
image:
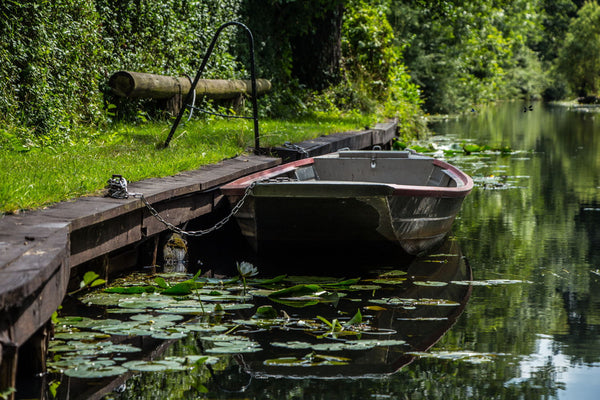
{"points": [[40, 175]]}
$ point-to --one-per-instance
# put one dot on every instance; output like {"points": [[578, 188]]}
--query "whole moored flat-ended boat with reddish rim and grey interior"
{"points": [[350, 199]]}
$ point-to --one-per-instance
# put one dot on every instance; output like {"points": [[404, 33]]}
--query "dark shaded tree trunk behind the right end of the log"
{"points": [[298, 40]]}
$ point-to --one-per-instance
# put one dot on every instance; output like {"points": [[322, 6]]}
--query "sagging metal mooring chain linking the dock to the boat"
{"points": [[117, 188]]}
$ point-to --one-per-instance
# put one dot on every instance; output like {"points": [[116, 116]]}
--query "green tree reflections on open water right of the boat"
{"points": [[538, 228]]}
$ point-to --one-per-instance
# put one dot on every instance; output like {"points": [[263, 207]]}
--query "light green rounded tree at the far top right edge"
{"points": [[579, 58]]}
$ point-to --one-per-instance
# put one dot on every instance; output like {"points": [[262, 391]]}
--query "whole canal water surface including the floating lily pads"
{"points": [[507, 308]]}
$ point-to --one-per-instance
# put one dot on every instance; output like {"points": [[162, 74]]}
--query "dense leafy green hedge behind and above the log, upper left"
{"points": [[57, 56]]}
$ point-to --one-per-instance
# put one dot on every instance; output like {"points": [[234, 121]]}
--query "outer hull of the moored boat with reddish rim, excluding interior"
{"points": [[341, 215]]}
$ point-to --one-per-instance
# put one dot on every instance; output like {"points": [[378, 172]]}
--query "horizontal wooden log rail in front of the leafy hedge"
{"points": [[142, 85]]}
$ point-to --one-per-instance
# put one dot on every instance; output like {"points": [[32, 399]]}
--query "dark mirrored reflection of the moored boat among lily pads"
{"points": [[411, 313]]}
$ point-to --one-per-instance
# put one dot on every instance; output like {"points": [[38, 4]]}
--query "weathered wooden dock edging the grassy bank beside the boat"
{"points": [[41, 251]]}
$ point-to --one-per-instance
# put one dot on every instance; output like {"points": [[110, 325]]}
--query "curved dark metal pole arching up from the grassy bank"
{"points": [[190, 94]]}
